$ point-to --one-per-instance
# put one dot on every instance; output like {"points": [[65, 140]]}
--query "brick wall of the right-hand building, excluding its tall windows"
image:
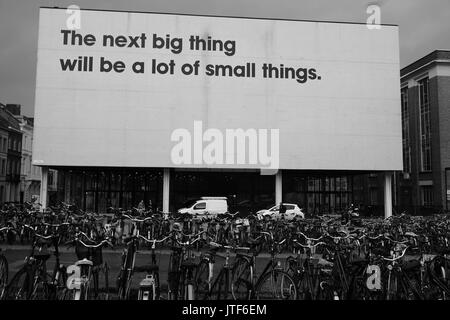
{"points": [[439, 99]]}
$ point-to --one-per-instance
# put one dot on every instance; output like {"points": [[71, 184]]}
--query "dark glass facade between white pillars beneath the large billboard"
{"points": [[95, 190]]}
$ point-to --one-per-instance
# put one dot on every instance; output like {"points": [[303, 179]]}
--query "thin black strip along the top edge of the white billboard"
{"points": [[217, 16]]}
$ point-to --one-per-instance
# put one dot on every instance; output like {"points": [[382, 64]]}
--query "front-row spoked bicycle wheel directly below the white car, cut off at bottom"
{"points": [[276, 285]]}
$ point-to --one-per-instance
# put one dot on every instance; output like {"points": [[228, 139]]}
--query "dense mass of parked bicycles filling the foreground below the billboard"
{"points": [[225, 257]]}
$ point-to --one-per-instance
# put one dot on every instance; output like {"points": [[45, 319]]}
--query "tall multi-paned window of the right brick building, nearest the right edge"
{"points": [[425, 125]]}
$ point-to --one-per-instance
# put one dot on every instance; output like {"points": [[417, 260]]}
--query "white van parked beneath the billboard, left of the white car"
{"points": [[205, 205]]}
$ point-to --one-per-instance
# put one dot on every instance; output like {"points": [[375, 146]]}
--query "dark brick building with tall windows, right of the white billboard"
{"points": [[423, 187]]}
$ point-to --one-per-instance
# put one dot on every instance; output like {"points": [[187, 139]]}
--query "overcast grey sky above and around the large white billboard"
{"points": [[424, 27]]}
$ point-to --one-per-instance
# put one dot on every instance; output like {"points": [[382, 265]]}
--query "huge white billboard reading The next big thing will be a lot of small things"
{"points": [[131, 89]]}
